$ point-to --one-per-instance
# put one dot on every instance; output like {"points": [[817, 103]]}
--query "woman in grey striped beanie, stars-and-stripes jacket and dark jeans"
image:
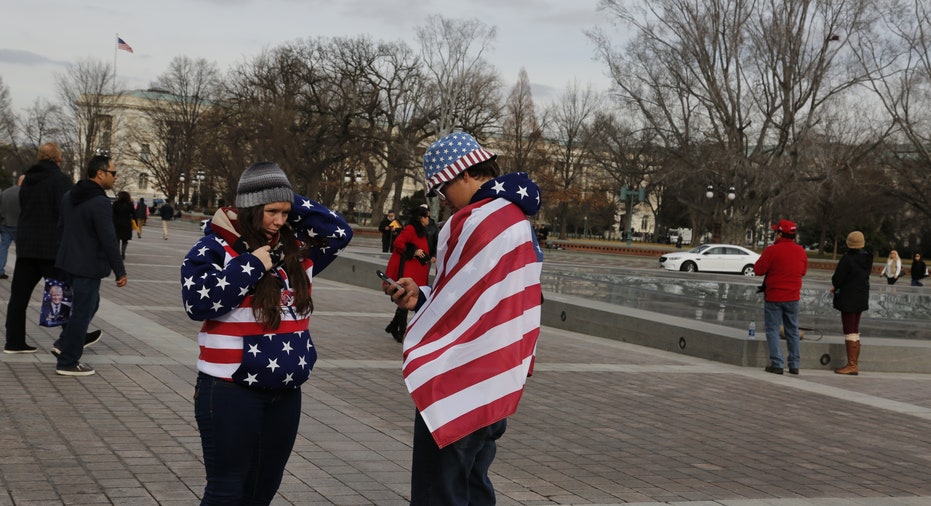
{"points": [[249, 280]]}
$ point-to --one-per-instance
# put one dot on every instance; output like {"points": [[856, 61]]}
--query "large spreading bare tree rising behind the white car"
{"points": [[734, 87]]}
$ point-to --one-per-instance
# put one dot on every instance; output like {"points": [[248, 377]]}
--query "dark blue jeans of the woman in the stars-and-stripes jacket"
{"points": [[247, 435]]}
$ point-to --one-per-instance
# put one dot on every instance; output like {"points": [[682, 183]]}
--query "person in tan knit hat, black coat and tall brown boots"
{"points": [[851, 289]]}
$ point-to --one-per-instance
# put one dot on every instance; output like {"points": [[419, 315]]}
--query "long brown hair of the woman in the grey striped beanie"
{"points": [[266, 305]]}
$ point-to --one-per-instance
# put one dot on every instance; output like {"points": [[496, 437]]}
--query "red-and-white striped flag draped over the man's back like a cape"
{"points": [[471, 345]]}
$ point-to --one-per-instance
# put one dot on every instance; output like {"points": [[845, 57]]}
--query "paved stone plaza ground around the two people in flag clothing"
{"points": [[601, 422]]}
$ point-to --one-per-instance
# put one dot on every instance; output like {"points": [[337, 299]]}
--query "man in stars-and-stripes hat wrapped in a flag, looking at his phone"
{"points": [[471, 344]]}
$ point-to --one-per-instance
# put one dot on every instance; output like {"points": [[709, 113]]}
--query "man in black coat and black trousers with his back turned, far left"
{"points": [[37, 239]]}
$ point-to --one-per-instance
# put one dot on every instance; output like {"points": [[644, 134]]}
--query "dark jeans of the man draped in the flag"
{"points": [[456, 475]]}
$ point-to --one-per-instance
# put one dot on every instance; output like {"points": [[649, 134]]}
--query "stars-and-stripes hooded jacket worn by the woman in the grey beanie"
{"points": [[216, 287]]}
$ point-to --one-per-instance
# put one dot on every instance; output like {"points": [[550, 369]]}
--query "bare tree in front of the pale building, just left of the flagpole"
{"points": [[90, 94]]}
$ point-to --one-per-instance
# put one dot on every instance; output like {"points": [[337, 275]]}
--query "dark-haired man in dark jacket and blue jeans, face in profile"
{"points": [[89, 251]]}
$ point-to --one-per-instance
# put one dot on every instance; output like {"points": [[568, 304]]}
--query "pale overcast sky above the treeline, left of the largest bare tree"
{"points": [[39, 38]]}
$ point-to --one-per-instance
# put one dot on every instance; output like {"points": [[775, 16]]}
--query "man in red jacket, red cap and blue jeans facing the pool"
{"points": [[784, 263]]}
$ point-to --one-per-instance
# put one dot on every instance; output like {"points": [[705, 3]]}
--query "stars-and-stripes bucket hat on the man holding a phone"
{"points": [[449, 156]]}
